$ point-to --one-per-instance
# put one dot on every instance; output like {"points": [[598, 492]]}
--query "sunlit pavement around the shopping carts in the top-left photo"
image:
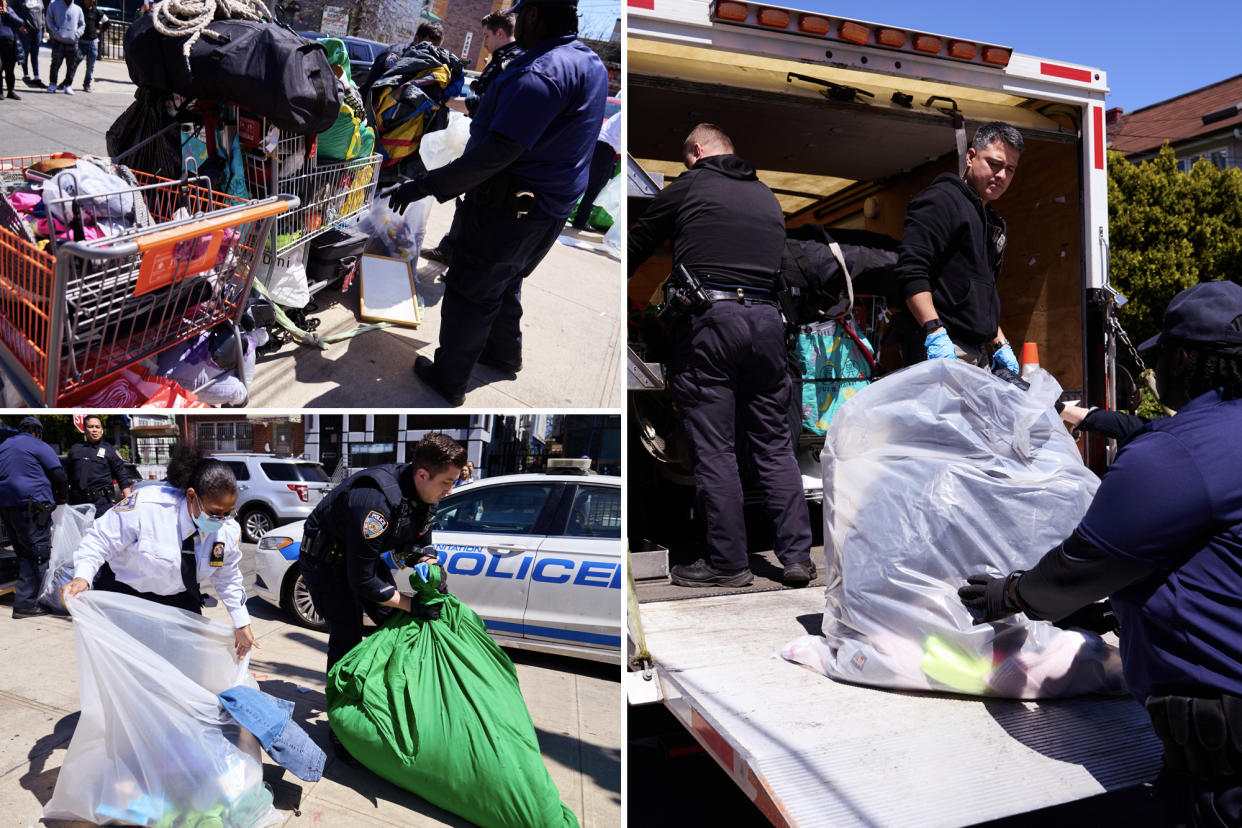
{"points": [[573, 333]]}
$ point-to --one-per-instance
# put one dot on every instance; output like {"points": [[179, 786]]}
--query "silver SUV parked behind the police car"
{"points": [[273, 491]]}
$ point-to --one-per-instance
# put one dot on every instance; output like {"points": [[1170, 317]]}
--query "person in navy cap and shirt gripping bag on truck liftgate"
{"points": [[1163, 541]]}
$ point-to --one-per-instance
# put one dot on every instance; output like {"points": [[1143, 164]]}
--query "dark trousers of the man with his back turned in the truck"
{"points": [[730, 369]]}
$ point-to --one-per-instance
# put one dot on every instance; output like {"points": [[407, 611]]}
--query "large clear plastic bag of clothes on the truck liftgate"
{"points": [[935, 474]]}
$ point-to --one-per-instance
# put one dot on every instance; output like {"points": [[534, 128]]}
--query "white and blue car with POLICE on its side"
{"points": [[538, 557]]}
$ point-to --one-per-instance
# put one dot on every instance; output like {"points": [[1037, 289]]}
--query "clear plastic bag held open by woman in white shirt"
{"points": [[153, 747]]}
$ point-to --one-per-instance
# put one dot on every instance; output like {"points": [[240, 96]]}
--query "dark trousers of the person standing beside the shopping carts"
{"points": [[494, 253]]}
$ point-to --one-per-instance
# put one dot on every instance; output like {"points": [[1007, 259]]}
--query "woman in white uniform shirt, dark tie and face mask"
{"points": [[161, 542]]}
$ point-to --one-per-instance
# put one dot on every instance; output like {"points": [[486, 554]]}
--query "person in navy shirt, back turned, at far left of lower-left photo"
{"points": [[32, 482]]}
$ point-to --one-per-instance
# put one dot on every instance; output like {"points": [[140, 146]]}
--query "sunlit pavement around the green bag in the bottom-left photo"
{"points": [[576, 707]]}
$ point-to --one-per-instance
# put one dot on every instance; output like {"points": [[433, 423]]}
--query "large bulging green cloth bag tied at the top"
{"points": [[434, 707]]}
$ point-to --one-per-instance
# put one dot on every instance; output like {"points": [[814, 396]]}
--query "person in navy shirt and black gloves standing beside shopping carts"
{"points": [[525, 167]]}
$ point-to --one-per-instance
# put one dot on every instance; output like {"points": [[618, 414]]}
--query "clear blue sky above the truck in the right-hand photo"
{"points": [[1152, 52]]}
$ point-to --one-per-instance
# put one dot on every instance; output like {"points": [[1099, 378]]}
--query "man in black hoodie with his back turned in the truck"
{"points": [[730, 359]]}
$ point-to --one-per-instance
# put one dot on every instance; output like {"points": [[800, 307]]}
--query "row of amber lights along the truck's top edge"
{"points": [[861, 34]]}
